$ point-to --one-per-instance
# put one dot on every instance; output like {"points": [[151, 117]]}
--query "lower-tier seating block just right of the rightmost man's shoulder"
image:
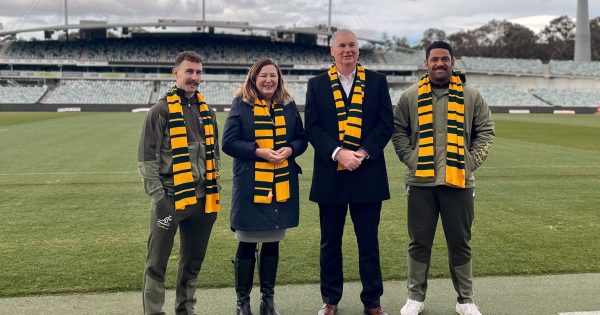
{"points": [[507, 95]]}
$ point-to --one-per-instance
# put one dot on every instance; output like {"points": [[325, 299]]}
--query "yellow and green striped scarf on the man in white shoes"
{"points": [[455, 147]]}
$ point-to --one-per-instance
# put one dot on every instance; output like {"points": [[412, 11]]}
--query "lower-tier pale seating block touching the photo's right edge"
{"points": [[568, 98]]}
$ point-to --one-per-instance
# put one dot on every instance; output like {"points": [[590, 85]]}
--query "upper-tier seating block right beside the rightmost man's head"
{"points": [[504, 65]]}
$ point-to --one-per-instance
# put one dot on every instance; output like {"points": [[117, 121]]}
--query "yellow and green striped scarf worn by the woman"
{"points": [[270, 133]]}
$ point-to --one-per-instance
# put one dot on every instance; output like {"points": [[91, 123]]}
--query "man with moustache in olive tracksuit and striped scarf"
{"points": [[156, 159]]}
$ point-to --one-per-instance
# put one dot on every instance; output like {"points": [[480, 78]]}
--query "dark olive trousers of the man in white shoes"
{"points": [[456, 208]]}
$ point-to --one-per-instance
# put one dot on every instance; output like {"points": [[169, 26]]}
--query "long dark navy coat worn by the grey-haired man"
{"points": [[369, 182]]}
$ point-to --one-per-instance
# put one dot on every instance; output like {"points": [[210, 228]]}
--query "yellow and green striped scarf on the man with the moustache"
{"points": [[182, 168]]}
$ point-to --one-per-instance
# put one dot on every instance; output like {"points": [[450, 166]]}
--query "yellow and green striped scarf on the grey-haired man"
{"points": [[349, 122]]}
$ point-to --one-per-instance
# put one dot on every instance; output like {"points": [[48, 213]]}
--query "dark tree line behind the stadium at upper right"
{"points": [[504, 39]]}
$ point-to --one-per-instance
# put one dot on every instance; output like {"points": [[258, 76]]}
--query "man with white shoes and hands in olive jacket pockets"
{"points": [[440, 180]]}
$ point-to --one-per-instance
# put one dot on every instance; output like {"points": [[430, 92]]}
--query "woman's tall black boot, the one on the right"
{"points": [[267, 270]]}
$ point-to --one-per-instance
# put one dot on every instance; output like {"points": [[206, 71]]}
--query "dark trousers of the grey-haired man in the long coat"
{"points": [[365, 218]]}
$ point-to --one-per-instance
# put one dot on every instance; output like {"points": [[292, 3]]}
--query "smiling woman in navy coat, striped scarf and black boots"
{"points": [[264, 134]]}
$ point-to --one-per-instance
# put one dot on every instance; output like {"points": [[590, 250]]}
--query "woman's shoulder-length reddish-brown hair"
{"points": [[249, 91]]}
